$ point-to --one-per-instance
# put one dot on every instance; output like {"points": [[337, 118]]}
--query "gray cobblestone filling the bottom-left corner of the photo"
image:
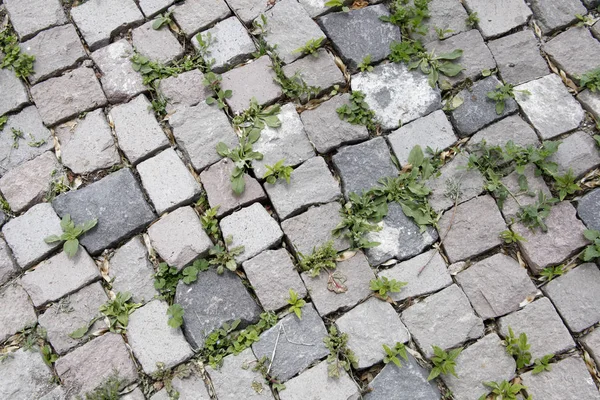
{"points": [[24, 375]]}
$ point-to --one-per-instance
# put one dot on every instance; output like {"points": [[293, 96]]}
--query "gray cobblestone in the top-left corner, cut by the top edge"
{"points": [[31, 16]]}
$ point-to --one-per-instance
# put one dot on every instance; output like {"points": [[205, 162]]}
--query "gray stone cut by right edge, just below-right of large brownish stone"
{"points": [[575, 296]]}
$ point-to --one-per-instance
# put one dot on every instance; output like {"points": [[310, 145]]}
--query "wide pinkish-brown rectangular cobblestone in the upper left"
{"points": [[59, 99]]}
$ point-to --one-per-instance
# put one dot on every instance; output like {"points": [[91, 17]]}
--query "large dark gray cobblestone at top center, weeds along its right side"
{"points": [[358, 33]]}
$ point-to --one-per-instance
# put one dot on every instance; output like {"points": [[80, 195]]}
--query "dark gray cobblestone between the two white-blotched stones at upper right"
{"points": [[477, 110]]}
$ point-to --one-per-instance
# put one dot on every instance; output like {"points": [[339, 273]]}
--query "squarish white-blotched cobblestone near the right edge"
{"points": [[549, 107]]}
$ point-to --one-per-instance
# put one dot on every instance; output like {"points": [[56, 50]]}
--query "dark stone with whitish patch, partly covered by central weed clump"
{"points": [[400, 237]]}
